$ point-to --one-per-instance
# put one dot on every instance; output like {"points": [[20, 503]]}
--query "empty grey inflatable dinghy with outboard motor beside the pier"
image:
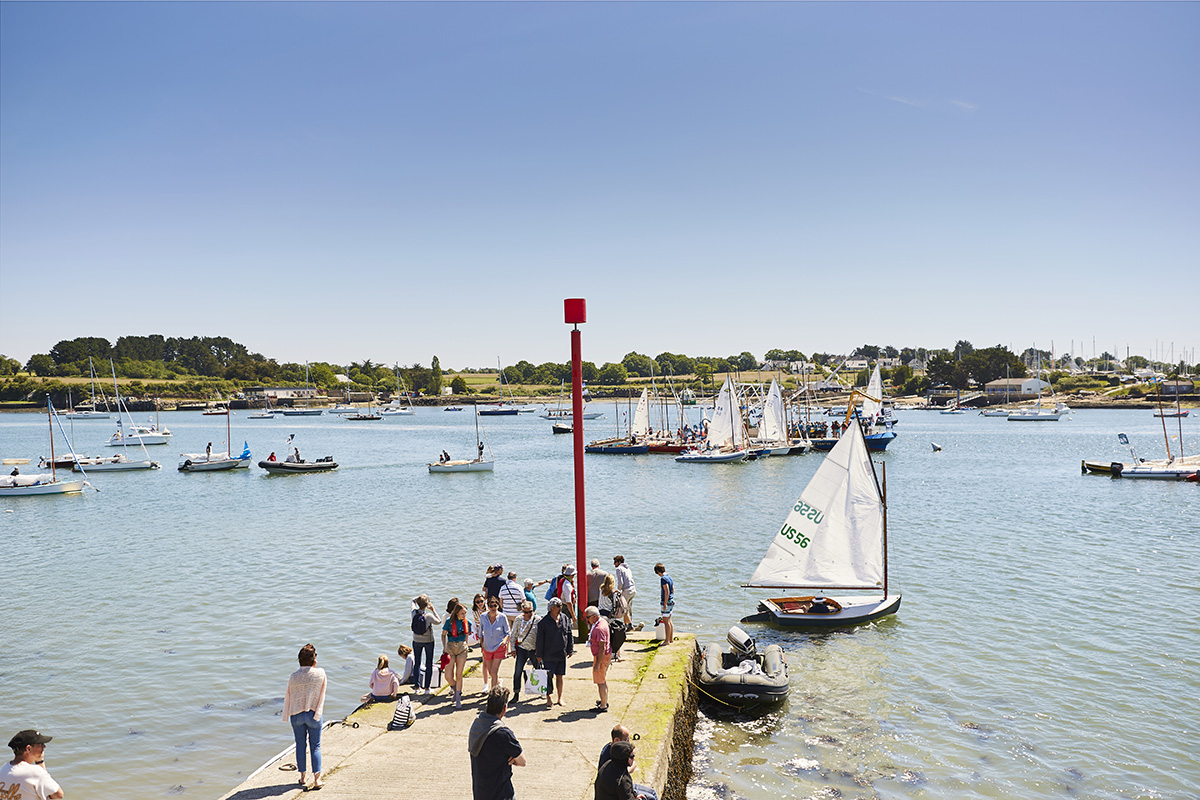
{"points": [[743, 678]]}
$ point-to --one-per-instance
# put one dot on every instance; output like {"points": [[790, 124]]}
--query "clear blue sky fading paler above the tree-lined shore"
{"points": [[341, 182]]}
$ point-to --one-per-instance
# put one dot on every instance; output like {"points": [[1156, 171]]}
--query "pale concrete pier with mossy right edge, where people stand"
{"points": [[649, 693]]}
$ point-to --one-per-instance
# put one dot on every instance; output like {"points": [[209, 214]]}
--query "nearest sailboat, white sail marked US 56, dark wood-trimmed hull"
{"points": [[835, 540]]}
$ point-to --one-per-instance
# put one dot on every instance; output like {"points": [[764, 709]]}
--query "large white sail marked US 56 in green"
{"points": [[833, 537]]}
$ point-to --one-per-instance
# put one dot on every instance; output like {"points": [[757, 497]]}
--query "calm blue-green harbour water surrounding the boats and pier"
{"points": [[1048, 646]]}
